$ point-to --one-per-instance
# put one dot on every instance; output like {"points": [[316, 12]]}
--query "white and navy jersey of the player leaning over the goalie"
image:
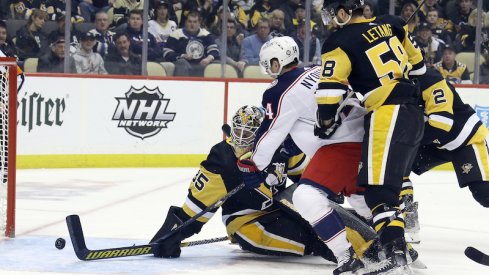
{"points": [[290, 109]]}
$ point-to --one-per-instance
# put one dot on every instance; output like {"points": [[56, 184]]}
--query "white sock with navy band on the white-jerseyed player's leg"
{"points": [[313, 205]]}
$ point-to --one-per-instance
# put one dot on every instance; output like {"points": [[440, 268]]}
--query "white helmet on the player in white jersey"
{"points": [[283, 48]]}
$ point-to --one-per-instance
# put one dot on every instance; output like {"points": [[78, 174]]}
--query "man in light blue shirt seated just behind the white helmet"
{"points": [[250, 48]]}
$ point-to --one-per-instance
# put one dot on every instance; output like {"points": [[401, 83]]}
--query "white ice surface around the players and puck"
{"points": [[121, 207]]}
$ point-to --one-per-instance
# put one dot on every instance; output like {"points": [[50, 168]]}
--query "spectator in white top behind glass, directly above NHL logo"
{"points": [[160, 26]]}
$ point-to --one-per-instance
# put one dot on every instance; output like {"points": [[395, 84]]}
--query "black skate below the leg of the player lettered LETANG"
{"points": [[395, 262]]}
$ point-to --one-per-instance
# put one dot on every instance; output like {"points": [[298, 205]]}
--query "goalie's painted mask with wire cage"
{"points": [[245, 123]]}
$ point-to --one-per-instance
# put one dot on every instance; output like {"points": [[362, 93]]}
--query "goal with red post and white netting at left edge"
{"points": [[8, 123]]}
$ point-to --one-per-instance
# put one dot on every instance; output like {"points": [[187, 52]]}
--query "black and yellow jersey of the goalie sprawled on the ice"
{"points": [[219, 174]]}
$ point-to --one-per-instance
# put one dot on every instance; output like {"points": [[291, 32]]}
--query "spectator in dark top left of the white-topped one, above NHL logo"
{"points": [[135, 31]]}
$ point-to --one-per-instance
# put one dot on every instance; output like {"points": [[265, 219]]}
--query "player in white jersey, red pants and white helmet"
{"points": [[290, 109]]}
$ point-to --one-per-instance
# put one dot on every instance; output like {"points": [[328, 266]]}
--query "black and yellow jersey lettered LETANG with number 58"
{"points": [[373, 56]]}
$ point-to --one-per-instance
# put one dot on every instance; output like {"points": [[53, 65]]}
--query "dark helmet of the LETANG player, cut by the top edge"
{"points": [[331, 7]]}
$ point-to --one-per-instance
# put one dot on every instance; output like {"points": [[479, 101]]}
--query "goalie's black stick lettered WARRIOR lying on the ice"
{"points": [[85, 254]]}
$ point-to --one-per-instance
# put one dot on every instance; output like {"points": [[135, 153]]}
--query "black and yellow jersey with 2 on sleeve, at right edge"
{"points": [[451, 123]]}
